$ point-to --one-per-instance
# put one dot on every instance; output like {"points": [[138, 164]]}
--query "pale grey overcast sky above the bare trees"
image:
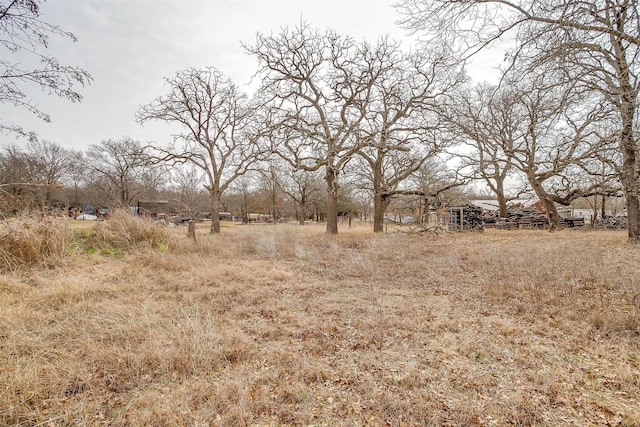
{"points": [[130, 46]]}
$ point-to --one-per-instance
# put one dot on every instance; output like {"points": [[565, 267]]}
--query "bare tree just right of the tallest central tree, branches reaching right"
{"points": [[401, 127]]}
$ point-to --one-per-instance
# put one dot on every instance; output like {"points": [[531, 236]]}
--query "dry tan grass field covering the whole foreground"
{"points": [[131, 325]]}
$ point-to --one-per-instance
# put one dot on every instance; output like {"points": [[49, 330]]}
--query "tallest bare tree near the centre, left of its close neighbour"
{"points": [[318, 84]]}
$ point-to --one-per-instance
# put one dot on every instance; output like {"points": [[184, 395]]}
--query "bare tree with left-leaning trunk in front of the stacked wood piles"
{"points": [[555, 137]]}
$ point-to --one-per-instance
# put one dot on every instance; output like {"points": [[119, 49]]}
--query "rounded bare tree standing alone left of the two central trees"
{"points": [[216, 121]]}
